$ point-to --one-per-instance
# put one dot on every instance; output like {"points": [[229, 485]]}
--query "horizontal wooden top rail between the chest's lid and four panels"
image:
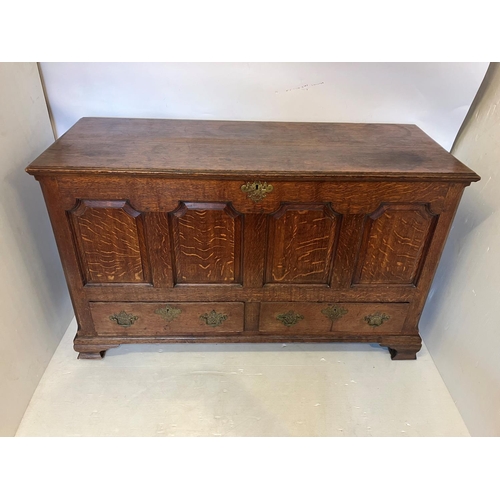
{"points": [[165, 192]]}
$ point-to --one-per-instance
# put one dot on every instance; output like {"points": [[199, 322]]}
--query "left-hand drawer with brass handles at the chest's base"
{"points": [[161, 318]]}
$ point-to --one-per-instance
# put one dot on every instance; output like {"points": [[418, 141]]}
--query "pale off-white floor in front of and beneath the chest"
{"points": [[241, 390]]}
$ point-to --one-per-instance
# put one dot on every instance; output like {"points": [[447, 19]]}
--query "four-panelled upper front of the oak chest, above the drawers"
{"points": [[319, 242]]}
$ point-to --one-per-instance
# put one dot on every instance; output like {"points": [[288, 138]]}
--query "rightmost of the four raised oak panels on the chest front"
{"points": [[394, 244]]}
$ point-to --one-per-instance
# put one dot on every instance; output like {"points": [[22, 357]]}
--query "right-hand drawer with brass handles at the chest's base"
{"points": [[318, 317]]}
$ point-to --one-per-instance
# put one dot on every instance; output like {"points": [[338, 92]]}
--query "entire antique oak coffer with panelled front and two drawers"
{"points": [[218, 231]]}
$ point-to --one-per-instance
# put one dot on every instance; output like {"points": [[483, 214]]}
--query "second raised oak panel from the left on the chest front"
{"points": [[207, 243]]}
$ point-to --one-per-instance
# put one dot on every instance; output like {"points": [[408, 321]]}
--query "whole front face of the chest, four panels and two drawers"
{"points": [[201, 243]]}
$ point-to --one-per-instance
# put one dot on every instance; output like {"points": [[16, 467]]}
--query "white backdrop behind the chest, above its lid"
{"points": [[434, 96]]}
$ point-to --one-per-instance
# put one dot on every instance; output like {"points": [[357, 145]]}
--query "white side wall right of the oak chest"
{"points": [[460, 323]]}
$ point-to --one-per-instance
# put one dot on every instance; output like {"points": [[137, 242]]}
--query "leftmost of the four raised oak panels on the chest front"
{"points": [[109, 236]]}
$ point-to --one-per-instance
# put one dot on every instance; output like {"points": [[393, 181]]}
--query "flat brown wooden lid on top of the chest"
{"points": [[205, 148]]}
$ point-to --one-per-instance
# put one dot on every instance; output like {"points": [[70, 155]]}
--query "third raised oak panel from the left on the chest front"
{"points": [[301, 244]]}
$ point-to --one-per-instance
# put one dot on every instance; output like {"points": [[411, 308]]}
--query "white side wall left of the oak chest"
{"points": [[34, 303]]}
